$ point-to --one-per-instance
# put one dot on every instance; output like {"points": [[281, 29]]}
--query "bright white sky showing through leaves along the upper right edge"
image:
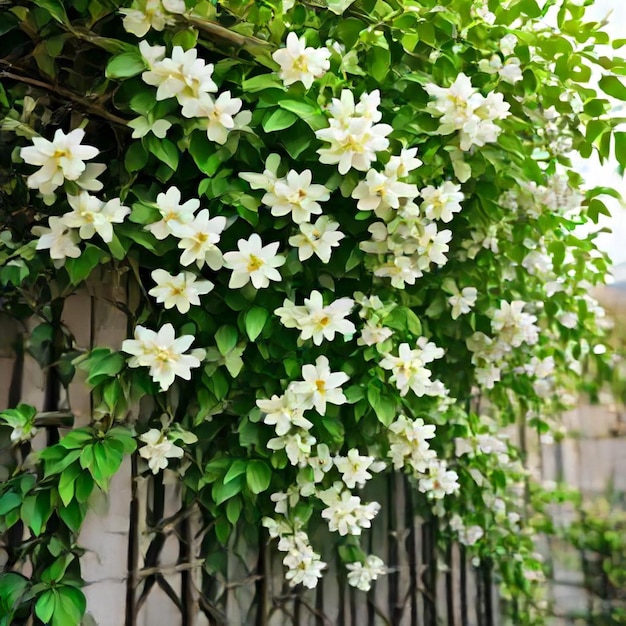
{"points": [[615, 242]]}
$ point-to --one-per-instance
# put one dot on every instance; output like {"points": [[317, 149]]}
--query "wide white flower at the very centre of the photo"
{"points": [[316, 321]]}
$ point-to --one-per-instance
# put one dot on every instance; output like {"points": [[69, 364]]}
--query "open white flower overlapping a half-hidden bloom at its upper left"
{"points": [[296, 195]]}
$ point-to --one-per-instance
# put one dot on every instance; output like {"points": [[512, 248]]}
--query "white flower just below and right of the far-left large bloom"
{"points": [[91, 215]]}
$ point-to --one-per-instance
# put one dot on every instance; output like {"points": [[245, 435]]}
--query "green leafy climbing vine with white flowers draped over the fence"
{"points": [[498, 277]]}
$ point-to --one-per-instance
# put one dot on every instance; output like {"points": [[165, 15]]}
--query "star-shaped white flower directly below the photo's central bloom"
{"points": [[320, 386]]}
